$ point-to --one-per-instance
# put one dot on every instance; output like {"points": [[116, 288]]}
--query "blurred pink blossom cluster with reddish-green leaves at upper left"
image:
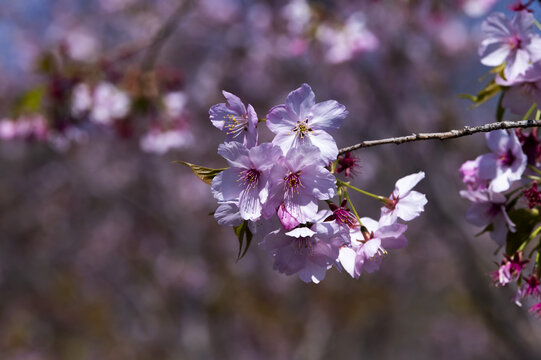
{"points": [[73, 104]]}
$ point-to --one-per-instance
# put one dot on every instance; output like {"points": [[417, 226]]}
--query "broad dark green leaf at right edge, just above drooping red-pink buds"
{"points": [[525, 221]]}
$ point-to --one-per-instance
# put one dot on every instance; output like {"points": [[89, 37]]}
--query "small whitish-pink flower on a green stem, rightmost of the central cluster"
{"points": [[404, 203]]}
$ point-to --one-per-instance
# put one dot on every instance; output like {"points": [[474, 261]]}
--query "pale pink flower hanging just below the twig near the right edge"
{"points": [[505, 164]]}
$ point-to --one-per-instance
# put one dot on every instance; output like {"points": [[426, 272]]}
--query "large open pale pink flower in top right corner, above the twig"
{"points": [[511, 42]]}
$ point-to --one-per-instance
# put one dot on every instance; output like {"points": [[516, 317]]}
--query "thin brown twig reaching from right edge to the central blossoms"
{"points": [[467, 130]]}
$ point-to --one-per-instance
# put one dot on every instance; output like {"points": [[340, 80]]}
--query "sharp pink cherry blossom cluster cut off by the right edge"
{"points": [[503, 184]]}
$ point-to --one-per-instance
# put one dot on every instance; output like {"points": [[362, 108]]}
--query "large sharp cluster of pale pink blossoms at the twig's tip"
{"points": [[275, 189]]}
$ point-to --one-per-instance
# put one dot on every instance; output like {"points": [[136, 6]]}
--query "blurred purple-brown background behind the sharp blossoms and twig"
{"points": [[107, 249]]}
